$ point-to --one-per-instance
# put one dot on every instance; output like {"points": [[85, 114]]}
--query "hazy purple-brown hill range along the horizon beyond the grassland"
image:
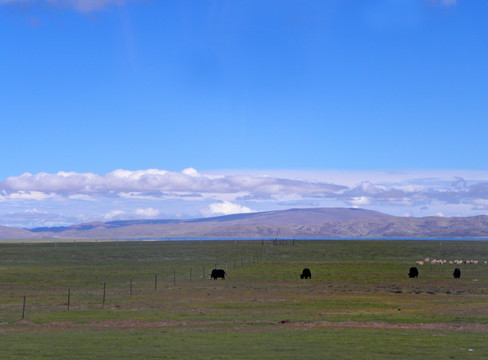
{"points": [[293, 223]]}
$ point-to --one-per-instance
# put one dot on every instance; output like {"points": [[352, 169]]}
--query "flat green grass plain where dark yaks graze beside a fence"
{"points": [[159, 302]]}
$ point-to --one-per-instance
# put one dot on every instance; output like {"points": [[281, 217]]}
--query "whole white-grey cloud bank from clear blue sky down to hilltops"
{"points": [[155, 193]]}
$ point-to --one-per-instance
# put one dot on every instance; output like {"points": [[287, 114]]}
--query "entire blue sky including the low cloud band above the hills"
{"points": [[268, 105]]}
